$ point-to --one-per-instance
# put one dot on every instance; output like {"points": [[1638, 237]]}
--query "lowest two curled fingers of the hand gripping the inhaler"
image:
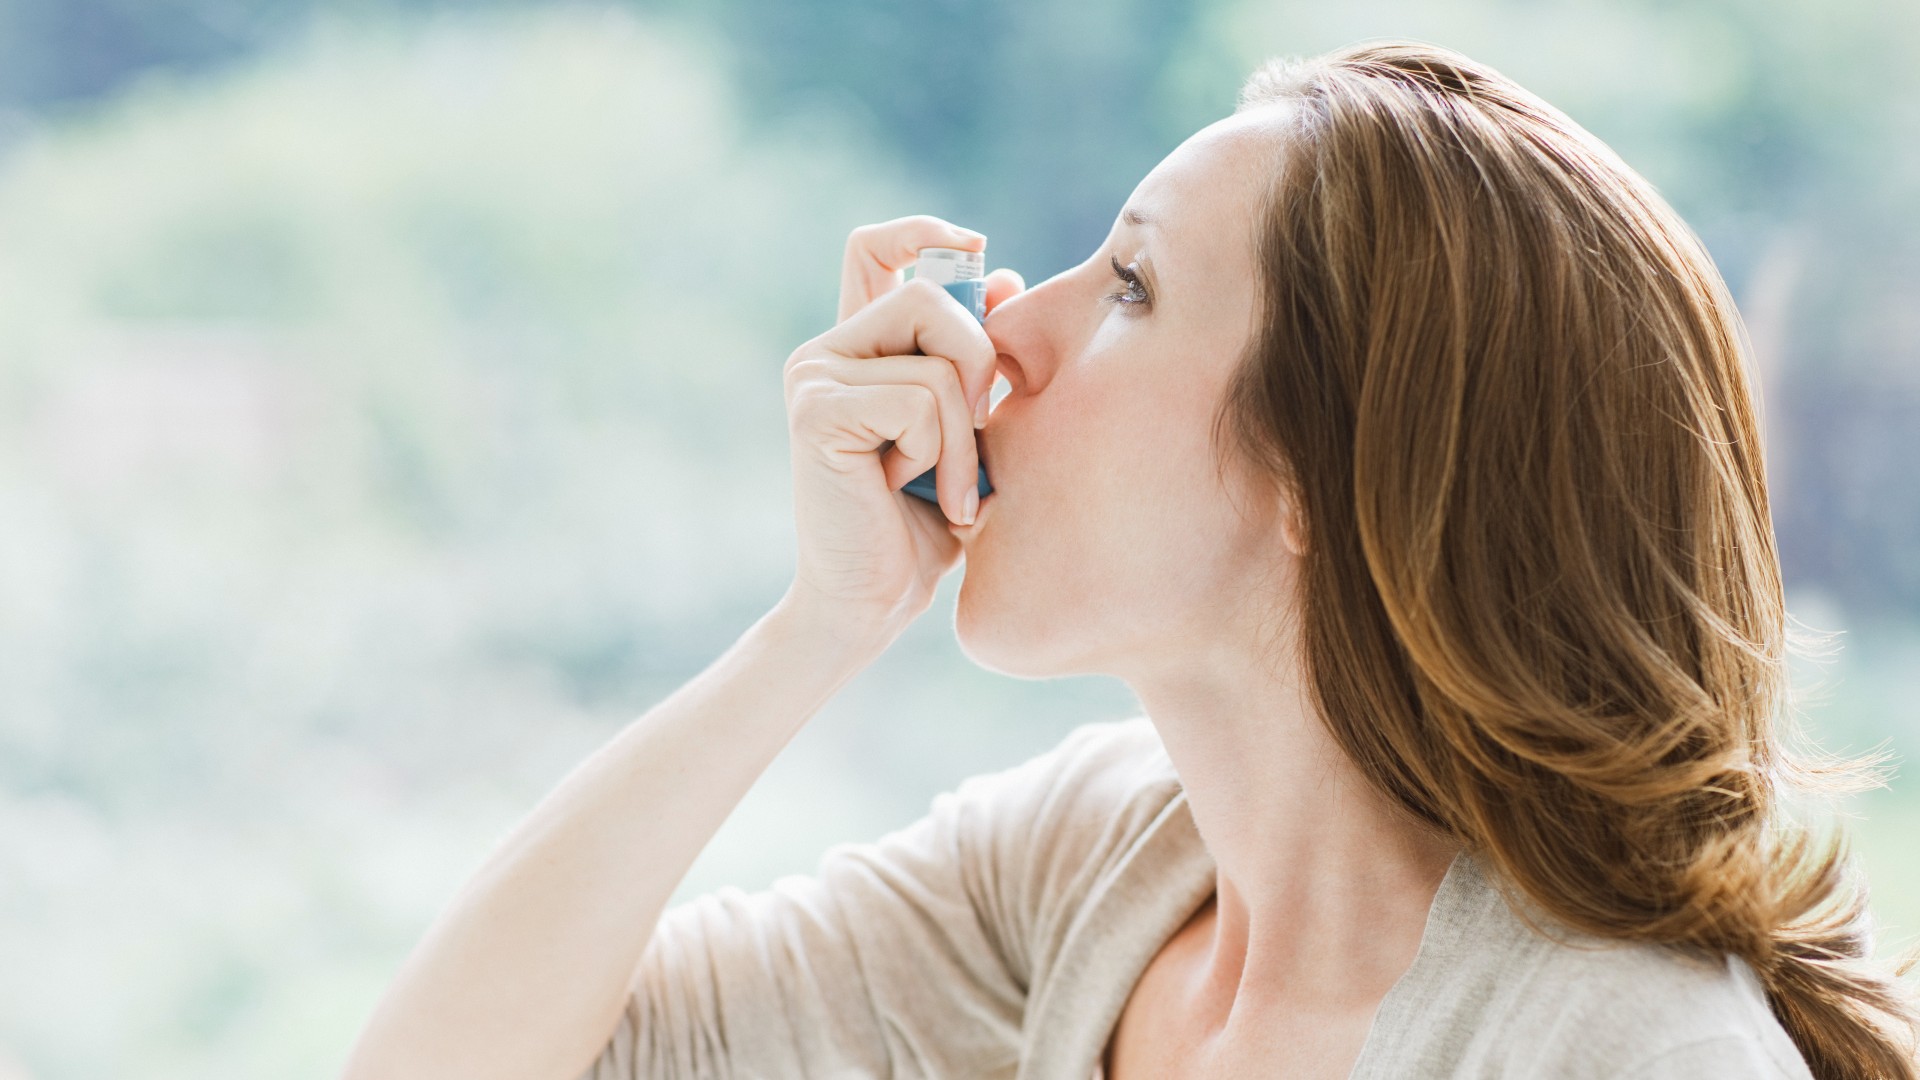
{"points": [[917, 403]]}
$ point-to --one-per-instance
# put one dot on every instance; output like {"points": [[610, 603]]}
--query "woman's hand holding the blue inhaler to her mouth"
{"points": [[869, 552]]}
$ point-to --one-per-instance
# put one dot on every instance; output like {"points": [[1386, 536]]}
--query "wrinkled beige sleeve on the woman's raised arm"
{"points": [[900, 958]]}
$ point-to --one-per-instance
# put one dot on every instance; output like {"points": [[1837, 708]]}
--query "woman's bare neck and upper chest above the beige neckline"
{"points": [[1324, 887]]}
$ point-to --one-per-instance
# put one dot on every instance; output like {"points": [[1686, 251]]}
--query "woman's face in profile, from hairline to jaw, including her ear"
{"points": [[1115, 545]]}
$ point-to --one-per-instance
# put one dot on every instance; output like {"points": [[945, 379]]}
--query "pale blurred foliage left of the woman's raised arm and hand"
{"points": [[356, 406]]}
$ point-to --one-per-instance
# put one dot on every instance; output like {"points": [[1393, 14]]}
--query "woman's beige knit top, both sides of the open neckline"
{"points": [[1001, 935]]}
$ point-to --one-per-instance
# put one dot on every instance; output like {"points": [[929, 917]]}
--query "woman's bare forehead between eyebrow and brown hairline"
{"points": [[1205, 195]]}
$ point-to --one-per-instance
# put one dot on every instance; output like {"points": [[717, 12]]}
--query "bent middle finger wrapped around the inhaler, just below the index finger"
{"points": [[919, 318]]}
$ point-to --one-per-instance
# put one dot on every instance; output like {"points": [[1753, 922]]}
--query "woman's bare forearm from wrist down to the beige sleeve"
{"points": [[527, 970]]}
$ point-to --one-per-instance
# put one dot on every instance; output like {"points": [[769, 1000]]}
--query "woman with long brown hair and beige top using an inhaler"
{"points": [[1397, 449]]}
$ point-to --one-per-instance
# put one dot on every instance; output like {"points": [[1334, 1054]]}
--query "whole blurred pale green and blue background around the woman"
{"points": [[391, 410]]}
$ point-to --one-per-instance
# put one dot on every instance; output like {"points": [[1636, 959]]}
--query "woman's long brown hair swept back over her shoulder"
{"points": [[1543, 606]]}
